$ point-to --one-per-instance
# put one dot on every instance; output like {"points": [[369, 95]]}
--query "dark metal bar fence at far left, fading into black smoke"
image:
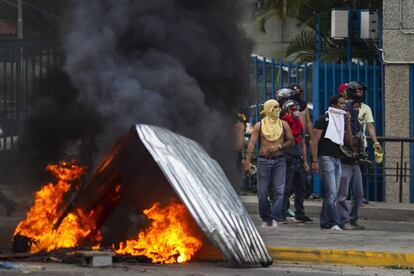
{"points": [[23, 66]]}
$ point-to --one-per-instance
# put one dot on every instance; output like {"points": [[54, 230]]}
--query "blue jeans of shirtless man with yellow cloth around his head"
{"points": [[271, 176]]}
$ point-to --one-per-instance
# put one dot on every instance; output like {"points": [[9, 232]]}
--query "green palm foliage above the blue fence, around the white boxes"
{"points": [[302, 47]]}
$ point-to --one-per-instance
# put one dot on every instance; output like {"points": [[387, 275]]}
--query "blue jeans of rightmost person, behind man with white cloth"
{"points": [[351, 174]]}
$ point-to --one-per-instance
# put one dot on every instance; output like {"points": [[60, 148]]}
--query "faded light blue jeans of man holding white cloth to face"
{"points": [[330, 171]]}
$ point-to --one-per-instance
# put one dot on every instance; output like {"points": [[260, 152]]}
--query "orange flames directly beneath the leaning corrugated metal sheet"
{"points": [[168, 239]]}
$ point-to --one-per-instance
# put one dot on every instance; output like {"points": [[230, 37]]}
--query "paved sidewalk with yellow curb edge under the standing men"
{"points": [[387, 241]]}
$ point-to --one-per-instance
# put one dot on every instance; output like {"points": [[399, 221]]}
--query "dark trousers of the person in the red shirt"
{"points": [[295, 184]]}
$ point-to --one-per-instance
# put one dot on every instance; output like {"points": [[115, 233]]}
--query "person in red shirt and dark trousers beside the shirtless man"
{"points": [[296, 163]]}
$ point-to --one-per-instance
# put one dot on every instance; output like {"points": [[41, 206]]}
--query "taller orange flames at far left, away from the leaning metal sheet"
{"points": [[49, 205]]}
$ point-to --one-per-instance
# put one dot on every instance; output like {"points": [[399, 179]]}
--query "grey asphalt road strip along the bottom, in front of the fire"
{"points": [[200, 269]]}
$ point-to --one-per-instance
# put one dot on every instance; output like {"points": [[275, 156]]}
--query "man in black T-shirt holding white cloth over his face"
{"points": [[331, 130]]}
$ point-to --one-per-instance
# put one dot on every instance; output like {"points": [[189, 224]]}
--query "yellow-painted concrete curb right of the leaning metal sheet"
{"points": [[349, 257]]}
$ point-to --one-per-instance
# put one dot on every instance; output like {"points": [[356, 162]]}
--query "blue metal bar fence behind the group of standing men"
{"points": [[324, 78]]}
